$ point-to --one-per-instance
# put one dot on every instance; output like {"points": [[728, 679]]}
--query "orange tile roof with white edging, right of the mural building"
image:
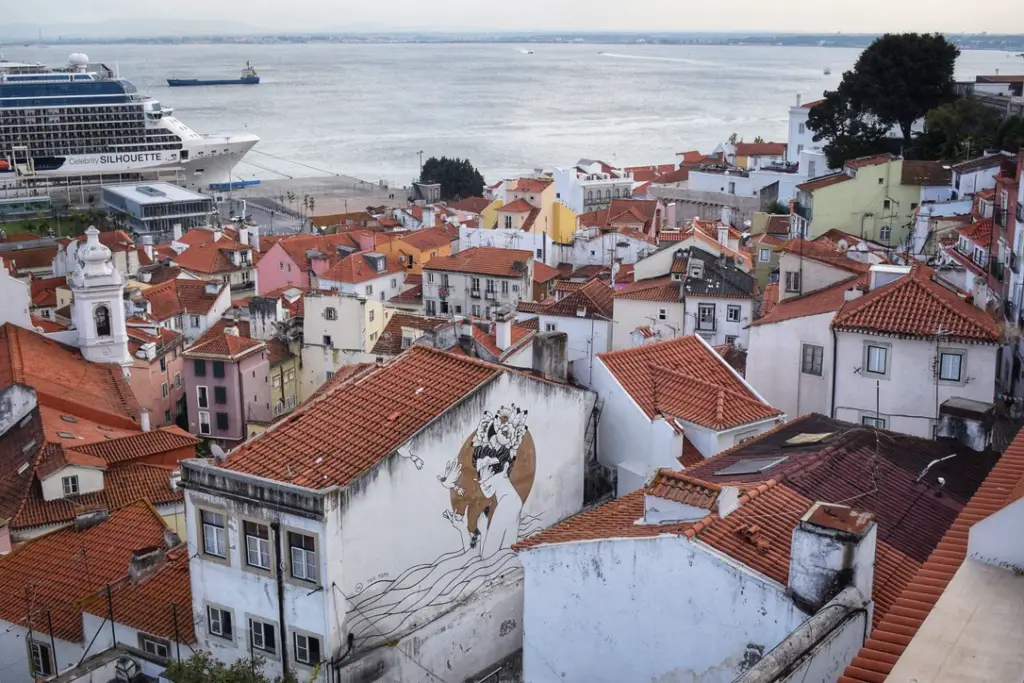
{"points": [[663, 378]]}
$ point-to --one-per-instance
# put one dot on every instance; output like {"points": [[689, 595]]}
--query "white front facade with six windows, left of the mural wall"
{"points": [[246, 593]]}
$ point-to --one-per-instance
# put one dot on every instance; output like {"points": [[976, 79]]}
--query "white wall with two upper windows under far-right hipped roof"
{"points": [[909, 398]]}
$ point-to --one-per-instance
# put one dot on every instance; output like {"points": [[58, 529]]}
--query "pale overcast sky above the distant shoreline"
{"points": [[684, 16]]}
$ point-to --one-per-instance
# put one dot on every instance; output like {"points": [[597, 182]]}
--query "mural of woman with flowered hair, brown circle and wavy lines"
{"points": [[489, 482]]}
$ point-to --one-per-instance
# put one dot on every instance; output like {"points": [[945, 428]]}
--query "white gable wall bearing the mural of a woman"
{"points": [[404, 566]]}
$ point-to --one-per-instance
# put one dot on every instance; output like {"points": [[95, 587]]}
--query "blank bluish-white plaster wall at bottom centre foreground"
{"points": [[705, 617]]}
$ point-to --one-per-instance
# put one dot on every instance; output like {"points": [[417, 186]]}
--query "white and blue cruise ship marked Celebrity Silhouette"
{"points": [[82, 124]]}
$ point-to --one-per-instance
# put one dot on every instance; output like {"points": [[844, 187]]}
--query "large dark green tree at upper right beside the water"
{"points": [[897, 80]]}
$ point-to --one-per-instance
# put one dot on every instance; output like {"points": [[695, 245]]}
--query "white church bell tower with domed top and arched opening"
{"points": [[99, 312]]}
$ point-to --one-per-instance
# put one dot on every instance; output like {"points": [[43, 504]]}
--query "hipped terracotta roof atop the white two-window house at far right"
{"points": [[917, 307]]}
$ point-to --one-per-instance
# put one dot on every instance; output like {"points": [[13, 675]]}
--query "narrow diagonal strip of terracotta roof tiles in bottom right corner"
{"points": [[893, 634]]}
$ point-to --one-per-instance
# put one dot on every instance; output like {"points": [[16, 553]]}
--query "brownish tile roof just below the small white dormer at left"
{"points": [[122, 486]]}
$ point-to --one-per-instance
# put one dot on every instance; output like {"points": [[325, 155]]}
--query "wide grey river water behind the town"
{"points": [[368, 110]]}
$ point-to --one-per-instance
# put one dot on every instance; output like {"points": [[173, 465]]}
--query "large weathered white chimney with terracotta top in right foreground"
{"points": [[833, 548]]}
